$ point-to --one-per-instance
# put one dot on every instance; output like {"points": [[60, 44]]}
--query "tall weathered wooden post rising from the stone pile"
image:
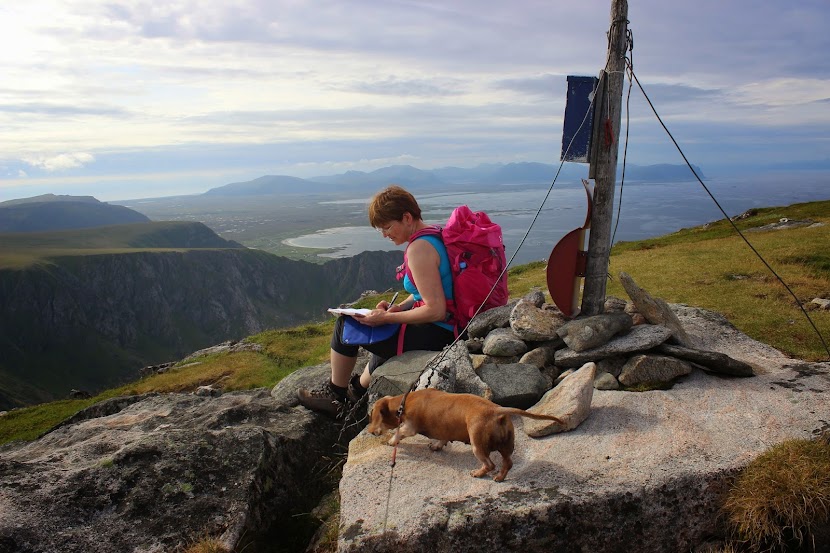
{"points": [[605, 168]]}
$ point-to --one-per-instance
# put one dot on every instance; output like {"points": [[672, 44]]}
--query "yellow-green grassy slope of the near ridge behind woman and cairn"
{"points": [[709, 267]]}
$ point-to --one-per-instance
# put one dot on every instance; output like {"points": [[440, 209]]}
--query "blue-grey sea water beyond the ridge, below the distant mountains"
{"points": [[535, 218]]}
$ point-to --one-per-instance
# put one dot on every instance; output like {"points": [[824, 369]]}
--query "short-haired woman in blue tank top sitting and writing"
{"points": [[395, 213]]}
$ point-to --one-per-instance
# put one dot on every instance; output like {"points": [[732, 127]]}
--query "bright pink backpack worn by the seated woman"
{"points": [[476, 251]]}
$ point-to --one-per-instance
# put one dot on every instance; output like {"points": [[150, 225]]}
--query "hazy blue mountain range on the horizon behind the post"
{"points": [[528, 173]]}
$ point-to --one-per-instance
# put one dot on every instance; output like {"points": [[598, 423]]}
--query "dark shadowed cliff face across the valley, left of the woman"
{"points": [[91, 321]]}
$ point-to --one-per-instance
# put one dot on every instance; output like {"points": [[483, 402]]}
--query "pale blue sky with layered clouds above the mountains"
{"points": [[128, 99]]}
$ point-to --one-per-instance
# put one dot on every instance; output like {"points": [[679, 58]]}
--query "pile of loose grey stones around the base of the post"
{"points": [[527, 354]]}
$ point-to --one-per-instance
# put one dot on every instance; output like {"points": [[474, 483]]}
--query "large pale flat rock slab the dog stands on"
{"points": [[643, 472]]}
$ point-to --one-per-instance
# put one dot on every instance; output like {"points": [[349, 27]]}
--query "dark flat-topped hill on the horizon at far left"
{"points": [[50, 212]]}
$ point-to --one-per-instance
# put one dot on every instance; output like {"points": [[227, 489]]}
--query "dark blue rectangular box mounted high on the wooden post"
{"points": [[579, 119]]}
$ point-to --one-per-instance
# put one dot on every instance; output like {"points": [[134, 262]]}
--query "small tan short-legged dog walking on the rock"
{"points": [[446, 417]]}
